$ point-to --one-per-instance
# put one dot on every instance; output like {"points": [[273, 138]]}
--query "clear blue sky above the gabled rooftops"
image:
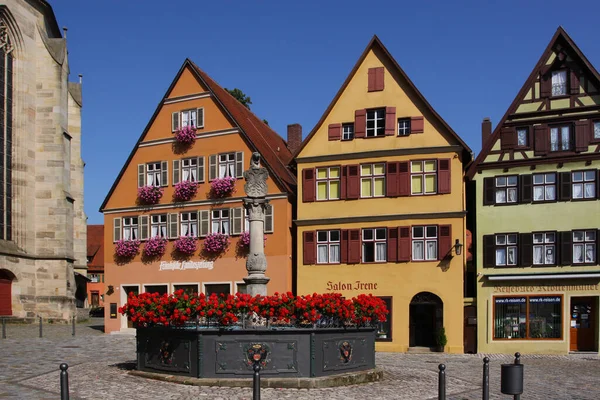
{"points": [[468, 58]]}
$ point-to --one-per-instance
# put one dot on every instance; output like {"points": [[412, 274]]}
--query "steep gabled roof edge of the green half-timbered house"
{"points": [[560, 34]]}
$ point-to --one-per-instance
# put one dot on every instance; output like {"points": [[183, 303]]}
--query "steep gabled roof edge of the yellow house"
{"points": [[375, 42]]}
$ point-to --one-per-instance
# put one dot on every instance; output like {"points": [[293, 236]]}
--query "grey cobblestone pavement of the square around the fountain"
{"points": [[98, 367]]}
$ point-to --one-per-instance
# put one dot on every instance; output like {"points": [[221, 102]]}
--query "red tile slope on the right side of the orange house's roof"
{"points": [[272, 148]]}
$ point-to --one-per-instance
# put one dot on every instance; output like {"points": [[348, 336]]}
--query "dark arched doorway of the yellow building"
{"points": [[426, 318]]}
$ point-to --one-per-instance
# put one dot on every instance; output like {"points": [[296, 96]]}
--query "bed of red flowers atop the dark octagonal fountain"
{"points": [[148, 309]]}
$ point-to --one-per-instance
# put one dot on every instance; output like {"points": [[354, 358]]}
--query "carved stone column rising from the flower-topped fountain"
{"points": [[255, 203]]}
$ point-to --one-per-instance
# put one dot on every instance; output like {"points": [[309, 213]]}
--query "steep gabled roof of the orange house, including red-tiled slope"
{"points": [[259, 136]]}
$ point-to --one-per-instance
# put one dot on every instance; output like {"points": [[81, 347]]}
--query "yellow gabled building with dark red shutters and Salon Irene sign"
{"points": [[381, 205]]}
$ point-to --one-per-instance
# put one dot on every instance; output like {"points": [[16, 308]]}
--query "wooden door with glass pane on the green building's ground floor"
{"points": [[583, 324]]}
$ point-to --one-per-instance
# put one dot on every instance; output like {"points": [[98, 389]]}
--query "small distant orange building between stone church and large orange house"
{"points": [[95, 263]]}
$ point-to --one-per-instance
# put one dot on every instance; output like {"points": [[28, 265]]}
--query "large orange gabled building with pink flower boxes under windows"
{"points": [[226, 135]]}
